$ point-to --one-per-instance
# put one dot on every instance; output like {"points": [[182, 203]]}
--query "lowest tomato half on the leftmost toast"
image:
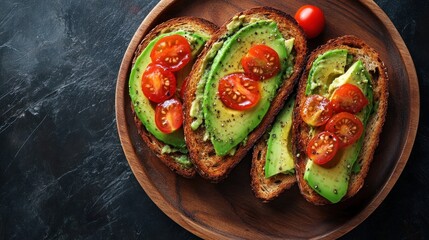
{"points": [[169, 115]]}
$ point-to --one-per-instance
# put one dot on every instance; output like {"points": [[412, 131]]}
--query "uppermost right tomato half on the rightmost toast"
{"points": [[348, 98]]}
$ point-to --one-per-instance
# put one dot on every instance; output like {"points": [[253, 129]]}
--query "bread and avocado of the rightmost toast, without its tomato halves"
{"points": [[343, 61]]}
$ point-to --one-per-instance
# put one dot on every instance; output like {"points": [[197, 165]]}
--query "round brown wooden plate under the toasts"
{"points": [[229, 209]]}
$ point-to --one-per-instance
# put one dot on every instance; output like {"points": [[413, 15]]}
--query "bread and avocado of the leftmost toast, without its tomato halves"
{"points": [[169, 147]]}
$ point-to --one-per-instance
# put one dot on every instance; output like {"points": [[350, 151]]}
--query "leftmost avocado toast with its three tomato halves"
{"points": [[156, 79]]}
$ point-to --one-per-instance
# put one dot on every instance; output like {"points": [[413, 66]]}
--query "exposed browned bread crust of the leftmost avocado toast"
{"points": [[189, 24]]}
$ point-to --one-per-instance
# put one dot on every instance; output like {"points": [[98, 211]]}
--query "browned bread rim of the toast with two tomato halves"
{"points": [[208, 164]]}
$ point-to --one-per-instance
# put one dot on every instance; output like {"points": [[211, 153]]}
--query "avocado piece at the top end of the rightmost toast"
{"points": [[324, 70]]}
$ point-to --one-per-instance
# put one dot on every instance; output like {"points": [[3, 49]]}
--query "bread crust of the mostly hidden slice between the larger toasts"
{"points": [[267, 189]]}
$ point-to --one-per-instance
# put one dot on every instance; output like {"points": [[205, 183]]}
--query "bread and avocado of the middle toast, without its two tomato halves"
{"points": [[217, 136]]}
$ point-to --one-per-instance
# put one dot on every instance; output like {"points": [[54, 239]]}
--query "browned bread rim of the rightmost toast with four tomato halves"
{"points": [[375, 66]]}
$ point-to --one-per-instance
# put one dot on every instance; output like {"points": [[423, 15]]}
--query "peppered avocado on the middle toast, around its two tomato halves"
{"points": [[227, 127]]}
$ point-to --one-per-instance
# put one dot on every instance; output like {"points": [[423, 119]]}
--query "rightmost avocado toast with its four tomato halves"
{"points": [[339, 113]]}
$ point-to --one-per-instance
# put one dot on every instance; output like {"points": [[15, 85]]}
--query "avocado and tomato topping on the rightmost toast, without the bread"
{"points": [[332, 182]]}
